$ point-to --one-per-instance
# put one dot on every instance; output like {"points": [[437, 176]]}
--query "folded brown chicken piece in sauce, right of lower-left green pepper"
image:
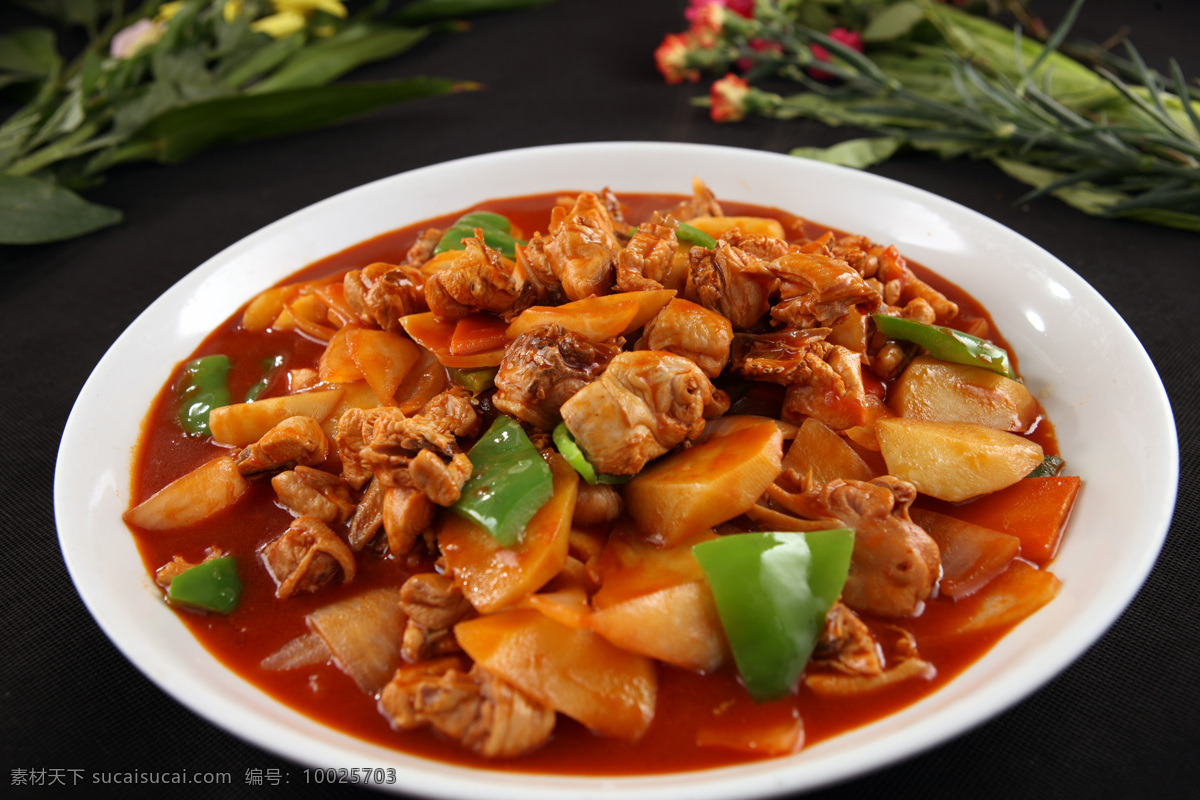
{"points": [[307, 557]]}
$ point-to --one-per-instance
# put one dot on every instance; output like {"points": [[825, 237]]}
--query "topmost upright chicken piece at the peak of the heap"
{"points": [[581, 248]]}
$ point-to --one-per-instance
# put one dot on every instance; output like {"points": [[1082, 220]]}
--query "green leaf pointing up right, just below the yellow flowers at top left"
{"points": [[326, 62]]}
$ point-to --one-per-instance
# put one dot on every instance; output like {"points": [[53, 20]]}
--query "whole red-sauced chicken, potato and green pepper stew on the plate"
{"points": [[652, 471]]}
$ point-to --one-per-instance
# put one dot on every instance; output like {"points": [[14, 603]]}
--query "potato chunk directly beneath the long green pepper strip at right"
{"points": [[931, 389]]}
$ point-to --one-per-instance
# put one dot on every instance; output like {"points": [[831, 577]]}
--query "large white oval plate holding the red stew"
{"points": [[1097, 384]]}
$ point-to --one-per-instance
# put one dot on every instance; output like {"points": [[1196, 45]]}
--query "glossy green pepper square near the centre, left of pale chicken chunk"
{"points": [[508, 485]]}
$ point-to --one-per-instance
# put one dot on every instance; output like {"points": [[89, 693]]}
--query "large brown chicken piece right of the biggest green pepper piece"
{"points": [[896, 564]]}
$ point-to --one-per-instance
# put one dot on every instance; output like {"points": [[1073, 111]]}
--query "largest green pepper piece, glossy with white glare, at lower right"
{"points": [[773, 592]]}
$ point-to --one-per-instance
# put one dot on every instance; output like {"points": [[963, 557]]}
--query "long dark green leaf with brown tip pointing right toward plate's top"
{"points": [[183, 133]]}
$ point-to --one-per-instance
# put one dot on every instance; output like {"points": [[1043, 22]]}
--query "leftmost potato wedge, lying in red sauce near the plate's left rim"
{"points": [[194, 497]]}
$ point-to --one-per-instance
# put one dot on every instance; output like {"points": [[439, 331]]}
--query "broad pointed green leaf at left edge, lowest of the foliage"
{"points": [[34, 212]]}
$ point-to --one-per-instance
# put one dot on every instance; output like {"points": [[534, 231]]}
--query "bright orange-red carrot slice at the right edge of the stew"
{"points": [[1035, 510]]}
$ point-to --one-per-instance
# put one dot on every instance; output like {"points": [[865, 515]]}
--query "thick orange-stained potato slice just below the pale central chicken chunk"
{"points": [[695, 490]]}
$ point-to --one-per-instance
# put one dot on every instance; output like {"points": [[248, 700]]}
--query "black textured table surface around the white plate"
{"points": [[1123, 723]]}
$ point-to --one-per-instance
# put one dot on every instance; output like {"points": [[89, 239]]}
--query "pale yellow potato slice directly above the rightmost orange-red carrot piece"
{"points": [[955, 461]]}
